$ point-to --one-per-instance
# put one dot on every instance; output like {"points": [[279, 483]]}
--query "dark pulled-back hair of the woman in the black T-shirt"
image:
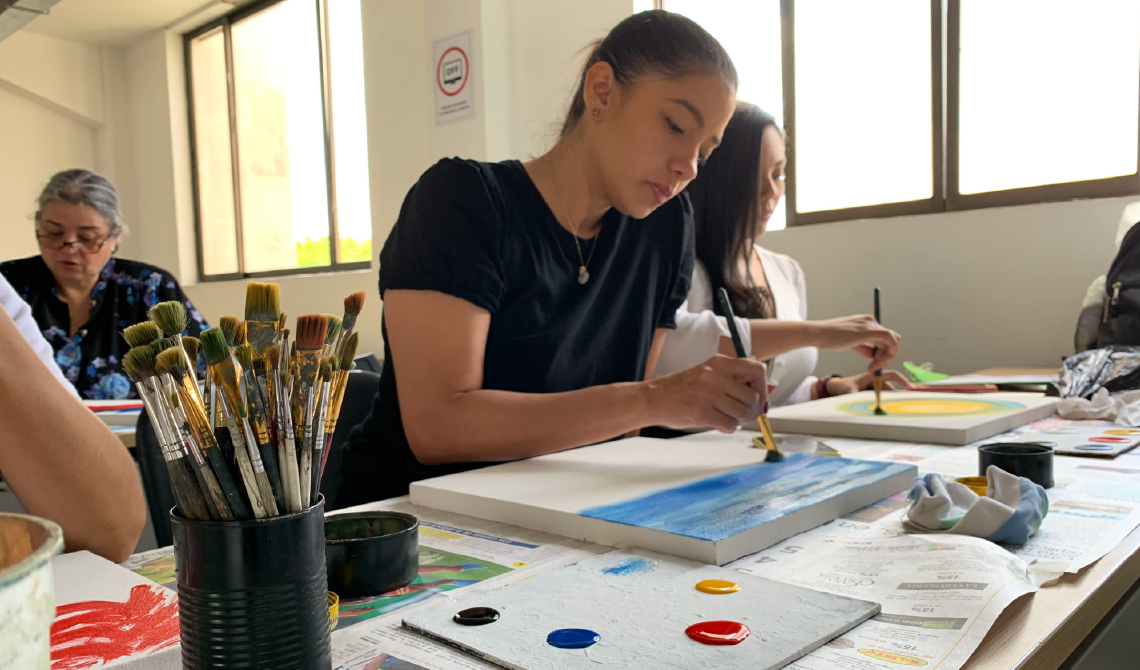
{"points": [[654, 43]]}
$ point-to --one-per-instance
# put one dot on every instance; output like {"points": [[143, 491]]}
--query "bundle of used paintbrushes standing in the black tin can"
{"points": [[253, 442]]}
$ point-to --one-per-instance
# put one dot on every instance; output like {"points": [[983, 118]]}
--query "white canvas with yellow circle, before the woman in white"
{"points": [[825, 419]]}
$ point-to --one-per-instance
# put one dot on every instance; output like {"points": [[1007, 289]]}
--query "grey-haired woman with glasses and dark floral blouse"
{"points": [[83, 297]]}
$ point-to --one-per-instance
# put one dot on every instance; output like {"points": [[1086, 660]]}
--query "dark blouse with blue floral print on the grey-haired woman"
{"points": [[92, 359]]}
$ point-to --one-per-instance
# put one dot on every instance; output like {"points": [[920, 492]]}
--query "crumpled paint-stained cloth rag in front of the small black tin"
{"points": [[1009, 513]]}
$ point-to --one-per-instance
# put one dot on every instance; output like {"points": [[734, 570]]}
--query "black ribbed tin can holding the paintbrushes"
{"points": [[254, 594]]}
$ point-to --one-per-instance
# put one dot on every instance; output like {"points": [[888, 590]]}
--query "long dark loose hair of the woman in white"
{"points": [[727, 202]]}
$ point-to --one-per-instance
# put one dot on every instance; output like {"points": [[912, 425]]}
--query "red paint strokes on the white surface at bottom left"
{"points": [[94, 633]]}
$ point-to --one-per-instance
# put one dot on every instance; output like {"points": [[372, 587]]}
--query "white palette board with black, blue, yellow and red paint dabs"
{"points": [[640, 604]]}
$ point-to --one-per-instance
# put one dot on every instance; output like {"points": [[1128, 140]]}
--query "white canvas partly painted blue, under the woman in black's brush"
{"points": [[718, 525]]}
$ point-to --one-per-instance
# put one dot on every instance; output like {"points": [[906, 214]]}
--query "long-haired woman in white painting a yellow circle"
{"points": [[734, 198]]}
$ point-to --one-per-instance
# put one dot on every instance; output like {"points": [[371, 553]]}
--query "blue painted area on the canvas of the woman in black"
{"points": [[726, 505]]}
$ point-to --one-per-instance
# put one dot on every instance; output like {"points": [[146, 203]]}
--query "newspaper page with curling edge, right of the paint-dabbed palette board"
{"points": [[940, 595]]}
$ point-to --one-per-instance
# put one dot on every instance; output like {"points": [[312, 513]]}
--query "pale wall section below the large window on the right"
{"points": [[966, 290]]}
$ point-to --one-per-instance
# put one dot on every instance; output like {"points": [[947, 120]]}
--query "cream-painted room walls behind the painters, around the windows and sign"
{"points": [[967, 290]]}
